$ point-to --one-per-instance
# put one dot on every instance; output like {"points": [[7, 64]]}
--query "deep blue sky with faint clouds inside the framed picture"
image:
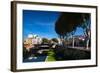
{"points": [[42, 23]]}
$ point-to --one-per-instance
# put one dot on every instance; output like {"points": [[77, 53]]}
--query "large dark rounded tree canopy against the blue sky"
{"points": [[67, 24]]}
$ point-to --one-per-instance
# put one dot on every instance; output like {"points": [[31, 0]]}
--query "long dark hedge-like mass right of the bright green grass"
{"points": [[71, 54]]}
